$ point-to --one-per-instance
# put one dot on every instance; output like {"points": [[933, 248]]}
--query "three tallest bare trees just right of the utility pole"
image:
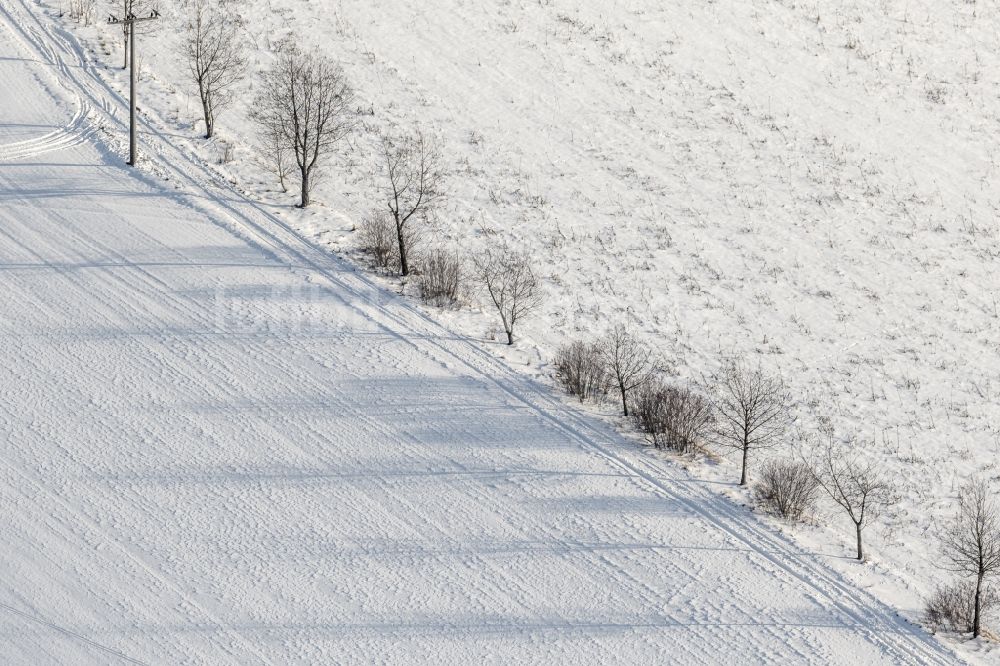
{"points": [[304, 109]]}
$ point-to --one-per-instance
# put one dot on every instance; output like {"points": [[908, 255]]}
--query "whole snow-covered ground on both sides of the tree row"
{"points": [[223, 444]]}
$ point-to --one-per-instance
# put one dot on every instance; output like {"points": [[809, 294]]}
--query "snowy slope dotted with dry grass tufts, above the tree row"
{"points": [[808, 184]]}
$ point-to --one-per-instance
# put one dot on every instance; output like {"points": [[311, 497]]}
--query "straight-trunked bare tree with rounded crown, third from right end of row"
{"points": [[752, 411]]}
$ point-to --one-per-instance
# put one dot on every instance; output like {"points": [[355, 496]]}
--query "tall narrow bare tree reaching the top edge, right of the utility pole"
{"points": [[215, 56]]}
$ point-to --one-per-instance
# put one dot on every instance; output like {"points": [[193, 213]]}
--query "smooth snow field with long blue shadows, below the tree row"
{"points": [[223, 446]]}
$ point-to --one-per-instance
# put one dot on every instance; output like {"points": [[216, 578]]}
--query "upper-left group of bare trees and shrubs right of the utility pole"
{"points": [[304, 108]]}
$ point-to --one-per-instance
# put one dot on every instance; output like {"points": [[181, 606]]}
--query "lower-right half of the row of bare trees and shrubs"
{"points": [[745, 410]]}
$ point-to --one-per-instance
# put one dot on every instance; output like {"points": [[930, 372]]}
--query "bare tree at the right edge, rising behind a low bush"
{"points": [[972, 544]]}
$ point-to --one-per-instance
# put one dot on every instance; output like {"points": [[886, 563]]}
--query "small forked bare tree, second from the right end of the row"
{"points": [[858, 487]]}
